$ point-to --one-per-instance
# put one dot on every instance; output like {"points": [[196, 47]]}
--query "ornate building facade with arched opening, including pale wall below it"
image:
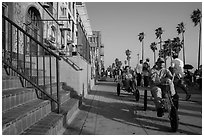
{"points": [[62, 27]]}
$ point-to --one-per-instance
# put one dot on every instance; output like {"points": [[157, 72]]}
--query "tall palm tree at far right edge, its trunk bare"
{"points": [[196, 18]]}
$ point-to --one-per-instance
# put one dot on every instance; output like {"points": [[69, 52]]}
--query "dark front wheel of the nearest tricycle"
{"points": [[174, 120]]}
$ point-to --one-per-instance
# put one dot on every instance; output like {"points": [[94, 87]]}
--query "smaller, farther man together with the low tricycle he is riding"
{"points": [[126, 82]]}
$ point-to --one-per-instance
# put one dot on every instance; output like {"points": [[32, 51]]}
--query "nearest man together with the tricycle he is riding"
{"points": [[164, 95]]}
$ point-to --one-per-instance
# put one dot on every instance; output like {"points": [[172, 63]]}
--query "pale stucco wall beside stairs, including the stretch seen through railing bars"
{"points": [[79, 80]]}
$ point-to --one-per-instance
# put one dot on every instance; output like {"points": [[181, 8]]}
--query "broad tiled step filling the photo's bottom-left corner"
{"points": [[18, 119]]}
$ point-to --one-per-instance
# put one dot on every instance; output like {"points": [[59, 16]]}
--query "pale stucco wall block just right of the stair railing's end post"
{"points": [[80, 80]]}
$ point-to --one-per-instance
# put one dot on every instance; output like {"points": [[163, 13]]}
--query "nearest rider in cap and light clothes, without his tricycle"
{"points": [[158, 76]]}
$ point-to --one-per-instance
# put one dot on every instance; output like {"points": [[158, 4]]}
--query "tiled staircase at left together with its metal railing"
{"points": [[34, 101]]}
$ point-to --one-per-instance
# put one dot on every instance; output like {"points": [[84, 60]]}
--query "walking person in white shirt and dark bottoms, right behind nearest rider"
{"points": [[177, 66]]}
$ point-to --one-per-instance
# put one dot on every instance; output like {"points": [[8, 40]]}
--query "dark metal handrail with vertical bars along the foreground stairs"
{"points": [[9, 59]]}
